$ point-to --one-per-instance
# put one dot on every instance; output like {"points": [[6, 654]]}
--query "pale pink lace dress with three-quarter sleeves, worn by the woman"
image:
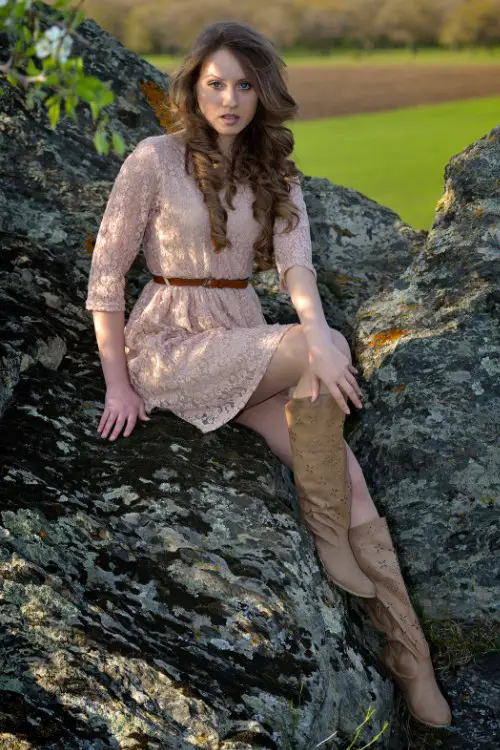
{"points": [[198, 352]]}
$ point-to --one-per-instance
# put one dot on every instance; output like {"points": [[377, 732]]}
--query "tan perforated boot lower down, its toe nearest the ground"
{"points": [[407, 653]]}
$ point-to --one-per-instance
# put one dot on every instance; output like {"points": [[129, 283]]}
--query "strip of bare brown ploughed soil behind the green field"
{"points": [[329, 91]]}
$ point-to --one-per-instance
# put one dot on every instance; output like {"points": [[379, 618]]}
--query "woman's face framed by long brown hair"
{"points": [[223, 88]]}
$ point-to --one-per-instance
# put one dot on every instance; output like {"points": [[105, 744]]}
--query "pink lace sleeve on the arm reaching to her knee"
{"points": [[294, 248]]}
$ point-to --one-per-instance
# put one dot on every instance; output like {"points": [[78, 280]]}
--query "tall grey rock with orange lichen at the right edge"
{"points": [[429, 349]]}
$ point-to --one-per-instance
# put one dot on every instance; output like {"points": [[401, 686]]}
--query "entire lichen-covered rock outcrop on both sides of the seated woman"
{"points": [[162, 591]]}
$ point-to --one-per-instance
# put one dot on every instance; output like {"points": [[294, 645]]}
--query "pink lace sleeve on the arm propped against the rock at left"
{"points": [[122, 228]]}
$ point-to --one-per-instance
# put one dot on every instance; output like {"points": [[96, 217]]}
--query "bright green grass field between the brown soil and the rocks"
{"points": [[395, 157]]}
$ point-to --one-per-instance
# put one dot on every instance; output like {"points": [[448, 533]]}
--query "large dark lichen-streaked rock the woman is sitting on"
{"points": [[160, 591]]}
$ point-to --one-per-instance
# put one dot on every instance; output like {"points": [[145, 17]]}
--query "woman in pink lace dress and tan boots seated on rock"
{"points": [[196, 342]]}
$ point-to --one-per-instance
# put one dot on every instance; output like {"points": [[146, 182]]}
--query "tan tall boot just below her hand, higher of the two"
{"points": [[322, 480]]}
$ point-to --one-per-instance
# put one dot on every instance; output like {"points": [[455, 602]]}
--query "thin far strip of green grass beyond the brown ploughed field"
{"points": [[378, 57]]}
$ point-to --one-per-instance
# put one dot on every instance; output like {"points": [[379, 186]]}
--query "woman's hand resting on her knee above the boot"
{"points": [[329, 365]]}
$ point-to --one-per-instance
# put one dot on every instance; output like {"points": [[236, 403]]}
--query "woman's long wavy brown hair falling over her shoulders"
{"points": [[260, 151]]}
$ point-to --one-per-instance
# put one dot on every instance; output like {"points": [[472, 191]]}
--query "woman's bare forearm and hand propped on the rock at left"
{"points": [[122, 403]]}
